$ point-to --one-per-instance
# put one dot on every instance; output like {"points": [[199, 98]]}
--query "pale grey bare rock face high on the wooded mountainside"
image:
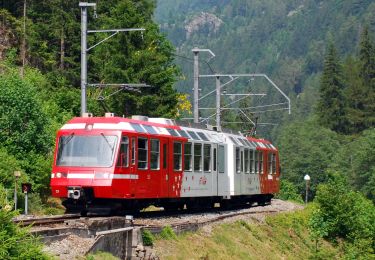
{"points": [[212, 22]]}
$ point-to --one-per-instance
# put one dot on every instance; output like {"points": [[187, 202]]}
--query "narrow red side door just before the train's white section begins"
{"points": [[164, 173]]}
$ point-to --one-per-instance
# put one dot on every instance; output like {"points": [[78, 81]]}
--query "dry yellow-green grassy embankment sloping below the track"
{"points": [[284, 236]]}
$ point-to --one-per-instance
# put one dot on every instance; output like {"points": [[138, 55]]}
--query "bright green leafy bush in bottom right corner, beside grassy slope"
{"points": [[345, 214]]}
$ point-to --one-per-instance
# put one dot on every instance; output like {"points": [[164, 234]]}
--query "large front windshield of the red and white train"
{"points": [[86, 151]]}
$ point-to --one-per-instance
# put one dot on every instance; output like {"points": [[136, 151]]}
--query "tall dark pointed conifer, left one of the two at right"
{"points": [[331, 105]]}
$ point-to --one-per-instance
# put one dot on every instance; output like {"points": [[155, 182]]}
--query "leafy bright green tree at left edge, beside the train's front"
{"points": [[22, 121]]}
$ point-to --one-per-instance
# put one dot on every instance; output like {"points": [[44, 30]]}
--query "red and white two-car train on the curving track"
{"points": [[119, 163]]}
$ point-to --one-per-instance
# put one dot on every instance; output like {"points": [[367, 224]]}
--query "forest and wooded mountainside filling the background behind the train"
{"points": [[321, 53]]}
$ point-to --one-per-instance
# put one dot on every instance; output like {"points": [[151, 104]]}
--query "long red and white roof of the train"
{"points": [[163, 126]]}
